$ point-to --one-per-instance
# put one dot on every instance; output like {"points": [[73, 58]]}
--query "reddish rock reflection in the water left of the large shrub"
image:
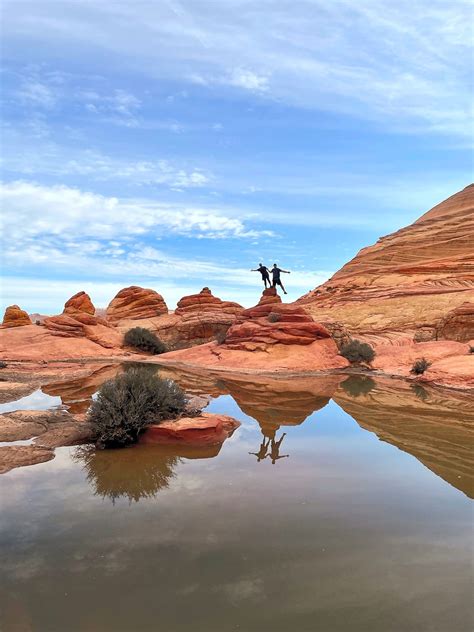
{"points": [[77, 393]]}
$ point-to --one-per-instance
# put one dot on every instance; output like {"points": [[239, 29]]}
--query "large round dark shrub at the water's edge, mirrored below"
{"points": [[131, 401]]}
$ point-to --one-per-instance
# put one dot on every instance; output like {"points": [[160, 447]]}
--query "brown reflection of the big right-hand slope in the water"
{"points": [[435, 426]]}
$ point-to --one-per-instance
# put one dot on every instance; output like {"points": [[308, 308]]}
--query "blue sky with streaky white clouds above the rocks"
{"points": [[175, 144]]}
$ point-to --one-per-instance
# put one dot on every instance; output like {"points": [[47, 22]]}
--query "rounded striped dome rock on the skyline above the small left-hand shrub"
{"points": [[135, 303]]}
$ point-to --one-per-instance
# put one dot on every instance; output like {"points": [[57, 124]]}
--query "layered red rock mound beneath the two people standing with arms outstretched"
{"points": [[273, 323]]}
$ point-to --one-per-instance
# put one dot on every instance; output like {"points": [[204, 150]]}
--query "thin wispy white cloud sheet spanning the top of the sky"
{"points": [[397, 63]]}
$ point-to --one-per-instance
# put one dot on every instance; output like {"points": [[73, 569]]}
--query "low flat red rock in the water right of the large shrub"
{"points": [[207, 429]]}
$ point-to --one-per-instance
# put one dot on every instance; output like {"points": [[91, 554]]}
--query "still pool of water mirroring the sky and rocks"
{"points": [[340, 504]]}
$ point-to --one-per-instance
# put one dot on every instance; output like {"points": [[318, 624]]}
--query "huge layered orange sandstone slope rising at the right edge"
{"points": [[409, 281]]}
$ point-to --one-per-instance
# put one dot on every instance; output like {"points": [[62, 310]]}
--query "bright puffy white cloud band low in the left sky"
{"points": [[32, 211]]}
